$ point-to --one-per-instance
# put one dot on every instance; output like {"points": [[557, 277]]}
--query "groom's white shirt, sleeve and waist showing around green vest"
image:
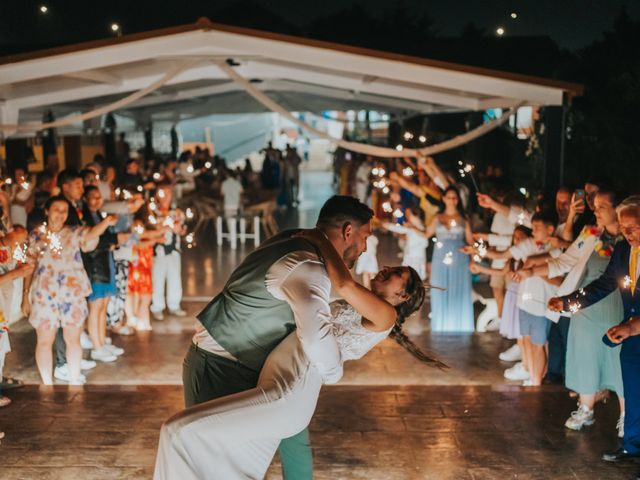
{"points": [[300, 279]]}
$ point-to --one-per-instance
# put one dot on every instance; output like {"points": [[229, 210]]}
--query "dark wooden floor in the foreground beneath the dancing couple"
{"points": [[415, 432]]}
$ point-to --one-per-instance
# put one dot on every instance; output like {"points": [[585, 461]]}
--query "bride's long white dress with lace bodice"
{"points": [[235, 437]]}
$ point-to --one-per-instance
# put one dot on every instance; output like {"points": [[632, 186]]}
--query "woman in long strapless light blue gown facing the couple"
{"points": [[451, 309]]}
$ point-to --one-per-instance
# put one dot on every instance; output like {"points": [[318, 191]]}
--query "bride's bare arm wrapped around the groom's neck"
{"points": [[380, 315]]}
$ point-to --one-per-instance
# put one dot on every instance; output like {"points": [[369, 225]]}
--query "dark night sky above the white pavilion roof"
{"points": [[571, 23]]}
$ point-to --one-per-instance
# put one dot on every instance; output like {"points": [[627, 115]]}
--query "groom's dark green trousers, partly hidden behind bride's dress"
{"points": [[206, 376]]}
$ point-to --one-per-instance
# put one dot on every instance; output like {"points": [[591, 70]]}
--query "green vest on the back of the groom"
{"points": [[244, 318]]}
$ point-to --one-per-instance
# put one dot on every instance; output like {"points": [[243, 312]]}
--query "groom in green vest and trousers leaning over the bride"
{"points": [[280, 287]]}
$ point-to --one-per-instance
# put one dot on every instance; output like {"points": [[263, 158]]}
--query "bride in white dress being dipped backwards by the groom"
{"points": [[236, 437]]}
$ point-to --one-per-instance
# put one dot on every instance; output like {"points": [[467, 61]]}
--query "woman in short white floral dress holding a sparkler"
{"points": [[56, 294]]}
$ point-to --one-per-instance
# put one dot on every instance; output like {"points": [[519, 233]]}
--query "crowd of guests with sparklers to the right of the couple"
{"points": [[562, 270]]}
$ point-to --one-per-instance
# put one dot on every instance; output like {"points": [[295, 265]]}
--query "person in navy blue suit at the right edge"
{"points": [[621, 274]]}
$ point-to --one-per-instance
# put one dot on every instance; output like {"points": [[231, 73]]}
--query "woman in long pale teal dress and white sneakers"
{"points": [[591, 366]]}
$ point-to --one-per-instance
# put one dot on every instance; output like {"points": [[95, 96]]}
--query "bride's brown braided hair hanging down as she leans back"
{"points": [[416, 292]]}
